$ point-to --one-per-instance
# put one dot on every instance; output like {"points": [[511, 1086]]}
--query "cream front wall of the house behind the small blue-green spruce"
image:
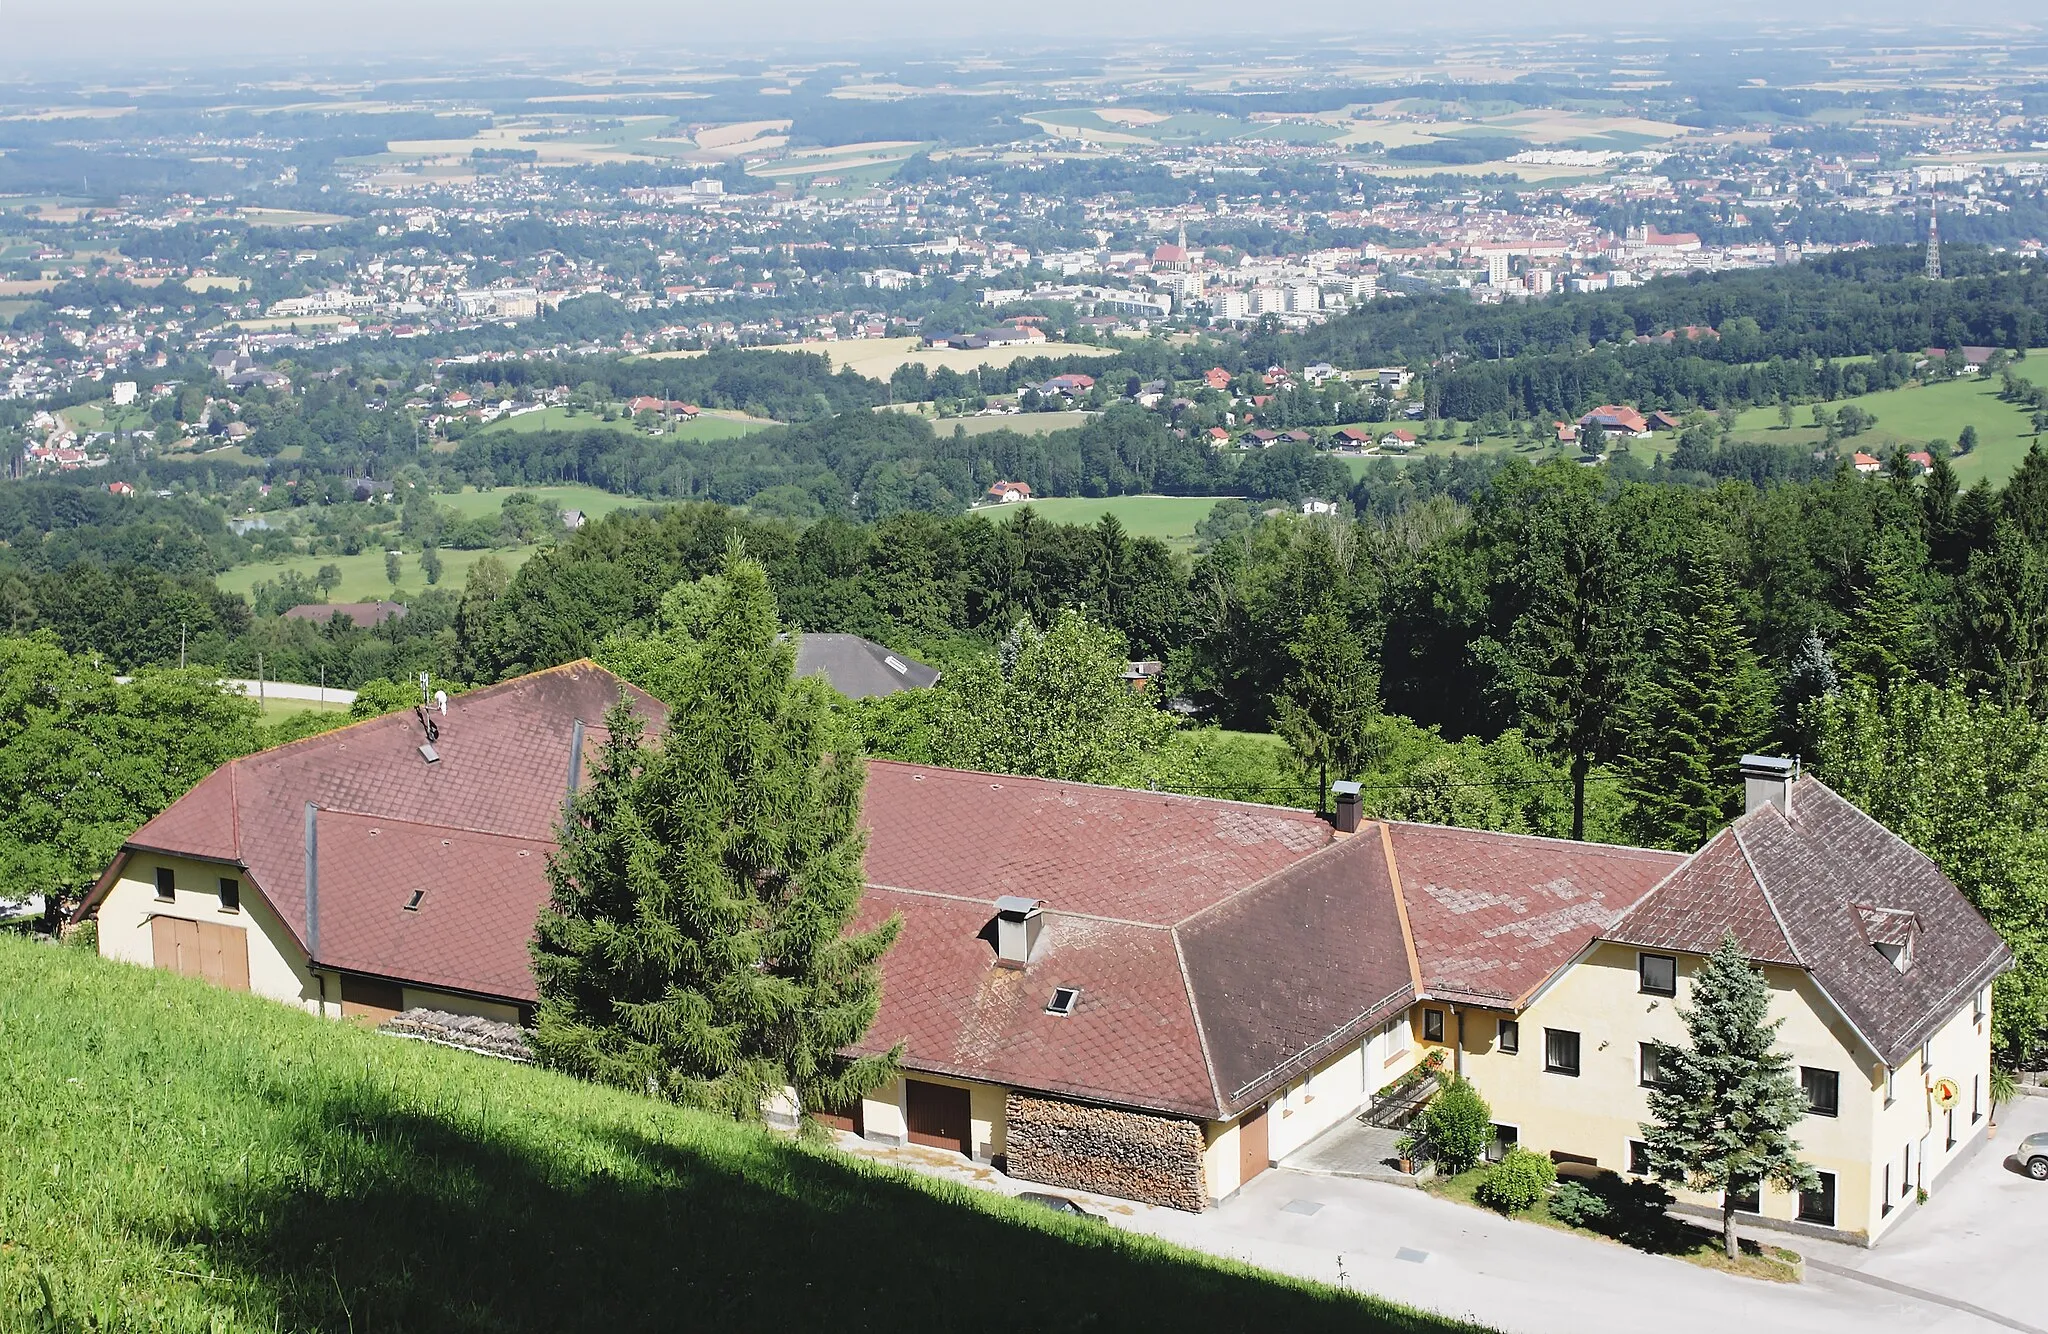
{"points": [[1605, 1108]]}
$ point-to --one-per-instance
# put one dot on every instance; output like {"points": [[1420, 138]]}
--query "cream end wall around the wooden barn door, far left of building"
{"points": [[278, 966]]}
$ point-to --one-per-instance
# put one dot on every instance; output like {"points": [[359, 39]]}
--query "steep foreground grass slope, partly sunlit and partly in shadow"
{"points": [[189, 1161]]}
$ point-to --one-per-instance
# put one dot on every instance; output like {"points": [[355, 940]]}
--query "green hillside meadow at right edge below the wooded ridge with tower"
{"points": [[1926, 413]]}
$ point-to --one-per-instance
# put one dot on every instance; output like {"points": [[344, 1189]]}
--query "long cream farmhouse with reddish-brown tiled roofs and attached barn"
{"points": [[1138, 993]]}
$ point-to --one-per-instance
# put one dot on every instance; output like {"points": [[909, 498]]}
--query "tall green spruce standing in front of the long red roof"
{"points": [[697, 935]]}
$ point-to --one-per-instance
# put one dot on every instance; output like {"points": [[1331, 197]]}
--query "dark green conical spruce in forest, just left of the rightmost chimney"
{"points": [[1701, 708]]}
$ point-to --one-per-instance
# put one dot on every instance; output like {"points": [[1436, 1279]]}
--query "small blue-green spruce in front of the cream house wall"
{"points": [[1725, 1103]]}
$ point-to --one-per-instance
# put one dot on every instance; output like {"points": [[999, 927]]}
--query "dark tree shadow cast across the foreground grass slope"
{"points": [[398, 1220]]}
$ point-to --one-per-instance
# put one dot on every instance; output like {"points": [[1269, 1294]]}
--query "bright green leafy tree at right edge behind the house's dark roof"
{"points": [[1965, 782]]}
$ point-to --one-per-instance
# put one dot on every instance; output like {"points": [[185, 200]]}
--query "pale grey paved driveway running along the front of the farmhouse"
{"points": [[1973, 1245]]}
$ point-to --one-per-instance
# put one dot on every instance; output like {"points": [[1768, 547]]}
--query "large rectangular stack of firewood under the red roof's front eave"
{"points": [[1156, 1161]]}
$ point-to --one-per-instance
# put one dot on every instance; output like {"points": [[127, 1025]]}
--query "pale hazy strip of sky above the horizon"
{"points": [[69, 36]]}
